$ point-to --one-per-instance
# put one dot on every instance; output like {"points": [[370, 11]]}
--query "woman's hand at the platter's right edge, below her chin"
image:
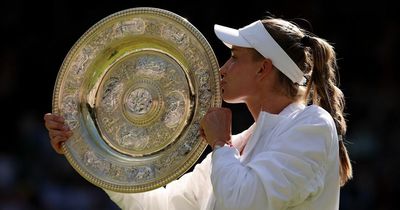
{"points": [[215, 127]]}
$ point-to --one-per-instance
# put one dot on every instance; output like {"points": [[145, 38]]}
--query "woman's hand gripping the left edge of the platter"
{"points": [[58, 131]]}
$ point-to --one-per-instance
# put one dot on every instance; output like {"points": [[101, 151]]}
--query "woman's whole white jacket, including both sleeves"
{"points": [[291, 161]]}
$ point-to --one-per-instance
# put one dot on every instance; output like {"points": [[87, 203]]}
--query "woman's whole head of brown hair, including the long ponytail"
{"points": [[317, 59]]}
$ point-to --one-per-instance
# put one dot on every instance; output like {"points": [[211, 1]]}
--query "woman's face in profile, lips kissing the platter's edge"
{"points": [[239, 75]]}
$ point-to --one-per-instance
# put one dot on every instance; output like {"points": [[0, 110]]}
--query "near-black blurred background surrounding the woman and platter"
{"points": [[36, 36]]}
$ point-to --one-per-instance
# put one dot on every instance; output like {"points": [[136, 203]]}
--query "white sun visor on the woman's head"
{"points": [[256, 36]]}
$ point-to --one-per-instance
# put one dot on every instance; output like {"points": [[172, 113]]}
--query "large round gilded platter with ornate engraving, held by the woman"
{"points": [[133, 89]]}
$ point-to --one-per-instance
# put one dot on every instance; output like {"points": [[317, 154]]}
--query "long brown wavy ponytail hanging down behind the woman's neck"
{"points": [[324, 92]]}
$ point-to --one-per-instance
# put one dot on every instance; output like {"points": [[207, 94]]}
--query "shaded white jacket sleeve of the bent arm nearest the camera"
{"points": [[290, 169]]}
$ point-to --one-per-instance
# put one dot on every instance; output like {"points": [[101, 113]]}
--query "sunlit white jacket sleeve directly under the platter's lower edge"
{"points": [[188, 192]]}
